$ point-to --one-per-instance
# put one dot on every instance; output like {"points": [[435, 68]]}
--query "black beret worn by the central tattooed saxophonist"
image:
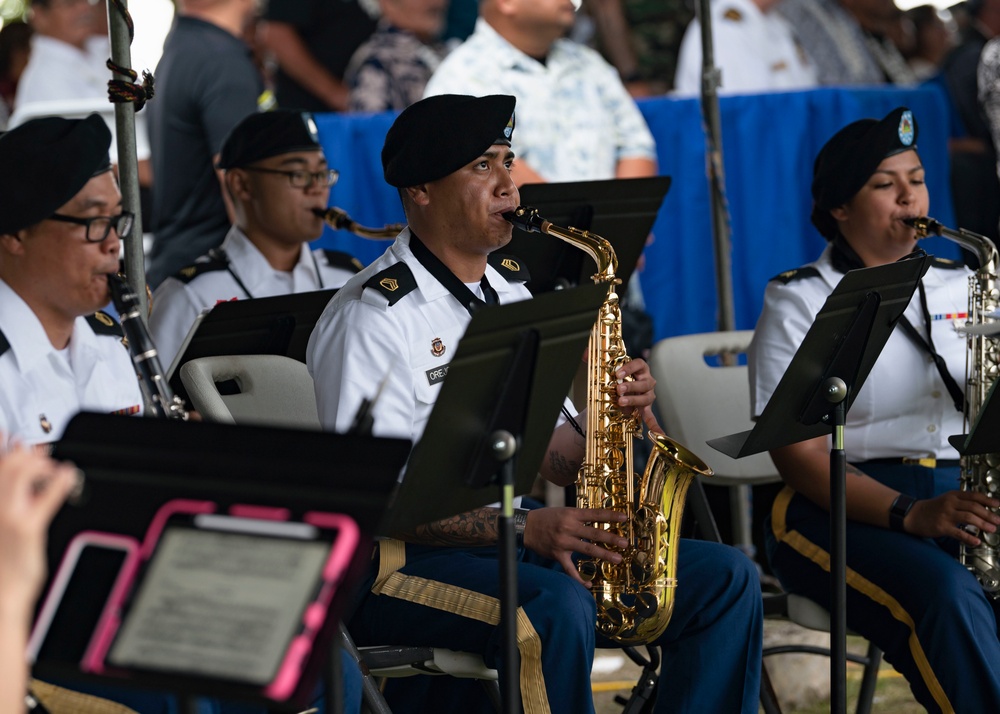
{"points": [[439, 135]]}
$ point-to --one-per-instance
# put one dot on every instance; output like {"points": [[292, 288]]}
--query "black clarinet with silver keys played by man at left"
{"points": [[162, 401]]}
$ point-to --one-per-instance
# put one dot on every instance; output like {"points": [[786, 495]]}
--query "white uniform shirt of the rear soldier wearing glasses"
{"points": [[178, 301]]}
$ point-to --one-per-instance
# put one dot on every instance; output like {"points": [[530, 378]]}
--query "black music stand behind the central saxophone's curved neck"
{"points": [[621, 210]]}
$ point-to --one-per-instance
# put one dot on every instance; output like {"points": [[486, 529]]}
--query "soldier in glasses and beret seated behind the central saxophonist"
{"points": [[277, 177]]}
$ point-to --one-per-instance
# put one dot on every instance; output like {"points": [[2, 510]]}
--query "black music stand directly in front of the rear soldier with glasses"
{"points": [[278, 325]]}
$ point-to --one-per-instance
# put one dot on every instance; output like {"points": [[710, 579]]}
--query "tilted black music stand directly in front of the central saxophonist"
{"points": [[491, 424]]}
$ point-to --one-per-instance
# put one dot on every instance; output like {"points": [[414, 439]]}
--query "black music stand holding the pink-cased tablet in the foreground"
{"points": [[134, 465]]}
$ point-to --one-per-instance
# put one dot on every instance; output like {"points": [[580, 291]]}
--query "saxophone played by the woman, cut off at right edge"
{"points": [[980, 472]]}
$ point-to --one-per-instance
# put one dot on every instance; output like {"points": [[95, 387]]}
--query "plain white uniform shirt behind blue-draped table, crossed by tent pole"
{"points": [[756, 51]]}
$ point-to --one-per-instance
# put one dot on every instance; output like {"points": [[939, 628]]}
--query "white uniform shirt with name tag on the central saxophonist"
{"points": [[360, 340]]}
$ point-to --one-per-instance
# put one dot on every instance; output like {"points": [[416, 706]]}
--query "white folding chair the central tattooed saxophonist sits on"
{"points": [[278, 391]]}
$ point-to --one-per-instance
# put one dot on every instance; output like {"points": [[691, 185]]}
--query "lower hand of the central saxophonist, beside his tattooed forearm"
{"points": [[557, 533]]}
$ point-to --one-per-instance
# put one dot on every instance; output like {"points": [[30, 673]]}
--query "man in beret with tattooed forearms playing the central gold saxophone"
{"points": [[449, 155]]}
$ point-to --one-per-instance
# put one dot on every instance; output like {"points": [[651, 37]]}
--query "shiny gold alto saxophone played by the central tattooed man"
{"points": [[635, 598]]}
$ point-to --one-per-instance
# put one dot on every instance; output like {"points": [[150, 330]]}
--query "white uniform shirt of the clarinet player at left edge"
{"points": [[41, 388]]}
